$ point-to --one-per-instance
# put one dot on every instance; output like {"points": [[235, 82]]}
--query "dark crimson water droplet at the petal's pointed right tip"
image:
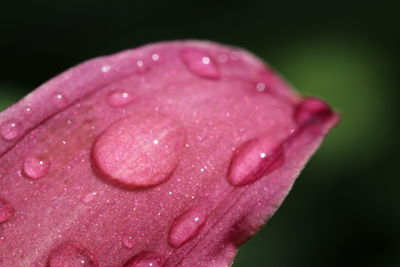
{"points": [[312, 111]]}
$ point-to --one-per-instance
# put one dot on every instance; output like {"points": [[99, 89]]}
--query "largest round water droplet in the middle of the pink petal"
{"points": [[126, 153]]}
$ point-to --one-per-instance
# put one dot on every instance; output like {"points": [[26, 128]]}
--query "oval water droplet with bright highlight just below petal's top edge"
{"points": [[200, 63]]}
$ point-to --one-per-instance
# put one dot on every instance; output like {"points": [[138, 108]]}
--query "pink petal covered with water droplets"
{"points": [[172, 154]]}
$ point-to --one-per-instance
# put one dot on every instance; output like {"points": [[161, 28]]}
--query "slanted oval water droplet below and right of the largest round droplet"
{"points": [[186, 227]]}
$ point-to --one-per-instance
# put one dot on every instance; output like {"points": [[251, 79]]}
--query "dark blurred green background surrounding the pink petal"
{"points": [[344, 210]]}
